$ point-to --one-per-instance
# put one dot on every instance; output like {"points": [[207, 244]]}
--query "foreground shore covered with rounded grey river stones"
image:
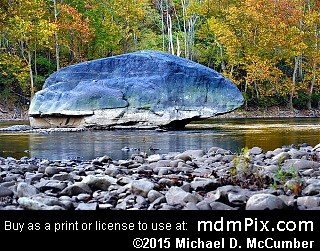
{"points": [[287, 178]]}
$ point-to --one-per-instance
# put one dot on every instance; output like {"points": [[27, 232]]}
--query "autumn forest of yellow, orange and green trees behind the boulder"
{"points": [[268, 48]]}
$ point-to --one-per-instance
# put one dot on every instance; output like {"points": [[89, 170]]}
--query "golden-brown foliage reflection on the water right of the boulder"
{"points": [[268, 133]]}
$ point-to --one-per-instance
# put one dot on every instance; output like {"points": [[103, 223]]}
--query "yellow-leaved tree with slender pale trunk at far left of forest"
{"points": [[27, 28]]}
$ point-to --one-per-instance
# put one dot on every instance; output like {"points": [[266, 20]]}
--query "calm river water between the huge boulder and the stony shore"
{"points": [[231, 134]]}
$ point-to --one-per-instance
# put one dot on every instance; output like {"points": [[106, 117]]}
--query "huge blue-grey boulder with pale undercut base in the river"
{"points": [[140, 89]]}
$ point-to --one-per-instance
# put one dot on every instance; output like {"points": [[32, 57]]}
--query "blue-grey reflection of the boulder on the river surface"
{"points": [[88, 145]]}
